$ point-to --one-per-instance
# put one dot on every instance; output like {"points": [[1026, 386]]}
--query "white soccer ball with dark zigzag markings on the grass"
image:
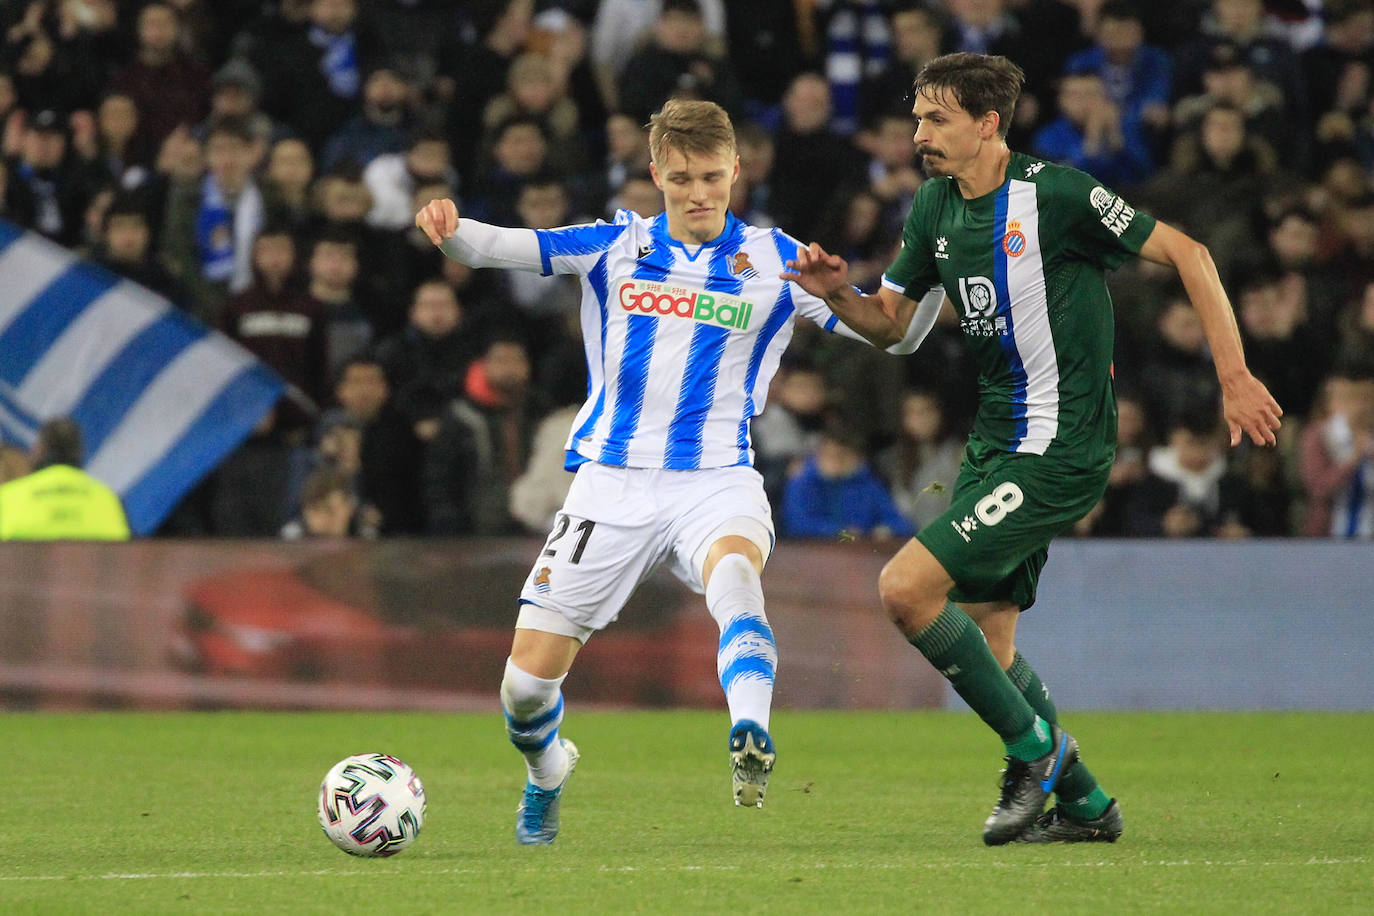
{"points": [[372, 805]]}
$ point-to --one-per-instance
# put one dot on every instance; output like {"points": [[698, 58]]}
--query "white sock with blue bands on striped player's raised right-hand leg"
{"points": [[748, 657]]}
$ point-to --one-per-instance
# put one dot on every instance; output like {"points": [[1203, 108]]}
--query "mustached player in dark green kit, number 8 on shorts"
{"points": [[1022, 248]]}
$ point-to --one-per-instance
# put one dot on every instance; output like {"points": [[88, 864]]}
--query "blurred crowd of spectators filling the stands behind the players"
{"points": [[260, 163]]}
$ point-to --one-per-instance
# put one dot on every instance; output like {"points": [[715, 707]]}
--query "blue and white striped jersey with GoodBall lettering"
{"points": [[681, 344]]}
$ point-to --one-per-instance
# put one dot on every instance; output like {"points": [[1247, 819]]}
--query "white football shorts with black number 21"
{"points": [[620, 524]]}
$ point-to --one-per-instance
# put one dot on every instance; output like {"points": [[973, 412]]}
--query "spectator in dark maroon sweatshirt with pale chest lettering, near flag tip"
{"points": [[278, 322]]}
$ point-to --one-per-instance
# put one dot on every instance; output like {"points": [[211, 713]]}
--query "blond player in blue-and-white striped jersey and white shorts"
{"points": [[685, 319]]}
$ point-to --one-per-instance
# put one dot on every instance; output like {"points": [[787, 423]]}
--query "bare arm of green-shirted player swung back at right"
{"points": [[1247, 404]]}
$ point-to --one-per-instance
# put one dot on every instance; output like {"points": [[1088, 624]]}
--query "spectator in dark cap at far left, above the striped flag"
{"points": [[49, 189]]}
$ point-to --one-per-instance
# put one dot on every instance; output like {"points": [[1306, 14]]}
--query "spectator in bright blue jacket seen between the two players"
{"points": [[839, 496]]}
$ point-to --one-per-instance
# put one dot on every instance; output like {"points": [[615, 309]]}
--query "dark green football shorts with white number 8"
{"points": [[995, 536]]}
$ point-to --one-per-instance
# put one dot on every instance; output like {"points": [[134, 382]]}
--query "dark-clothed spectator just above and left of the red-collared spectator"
{"points": [[427, 363]]}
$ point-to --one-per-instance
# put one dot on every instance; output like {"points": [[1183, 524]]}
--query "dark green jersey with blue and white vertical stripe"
{"points": [[1026, 268]]}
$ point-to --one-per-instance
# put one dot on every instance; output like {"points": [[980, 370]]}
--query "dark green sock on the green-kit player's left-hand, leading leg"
{"points": [[958, 650]]}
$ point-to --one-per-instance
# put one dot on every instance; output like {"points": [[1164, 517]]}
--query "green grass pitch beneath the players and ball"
{"points": [[868, 814]]}
